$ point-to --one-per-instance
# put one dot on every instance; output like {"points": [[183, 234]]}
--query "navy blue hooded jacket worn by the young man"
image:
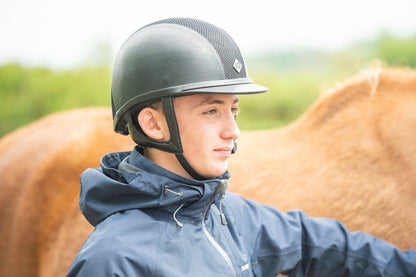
{"points": [[151, 222]]}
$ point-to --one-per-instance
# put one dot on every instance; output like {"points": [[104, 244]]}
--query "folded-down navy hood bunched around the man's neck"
{"points": [[128, 180]]}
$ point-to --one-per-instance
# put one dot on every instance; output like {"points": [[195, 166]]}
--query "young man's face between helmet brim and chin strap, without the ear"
{"points": [[207, 130]]}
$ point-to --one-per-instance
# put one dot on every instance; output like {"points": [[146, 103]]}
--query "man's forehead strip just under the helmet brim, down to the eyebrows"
{"points": [[198, 100]]}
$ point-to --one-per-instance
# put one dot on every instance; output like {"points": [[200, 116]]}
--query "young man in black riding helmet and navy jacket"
{"points": [[163, 209]]}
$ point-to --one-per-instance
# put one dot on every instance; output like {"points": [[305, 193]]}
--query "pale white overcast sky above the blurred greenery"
{"points": [[62, 34]]}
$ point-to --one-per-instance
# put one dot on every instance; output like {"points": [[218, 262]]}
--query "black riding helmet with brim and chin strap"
{"points": [[170, 58]]}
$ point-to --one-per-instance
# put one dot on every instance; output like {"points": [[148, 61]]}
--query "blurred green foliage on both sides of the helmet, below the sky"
{"points": [[295, 79]]}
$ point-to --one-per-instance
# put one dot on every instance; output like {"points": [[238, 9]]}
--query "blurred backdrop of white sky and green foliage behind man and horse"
{"points": [[58, 55]]}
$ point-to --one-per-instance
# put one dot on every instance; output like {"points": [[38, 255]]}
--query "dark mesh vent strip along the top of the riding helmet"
{"points": [[224, 45]]}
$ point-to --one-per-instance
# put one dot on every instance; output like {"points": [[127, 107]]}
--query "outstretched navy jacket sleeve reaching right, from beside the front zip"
{"points": [[297, 245]]}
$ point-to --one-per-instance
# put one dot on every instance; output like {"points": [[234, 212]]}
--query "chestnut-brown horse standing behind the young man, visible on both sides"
{"points": [[352, 156]]}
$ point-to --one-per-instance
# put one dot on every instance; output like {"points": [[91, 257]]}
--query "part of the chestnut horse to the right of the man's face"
{"points": [[352, 156]]}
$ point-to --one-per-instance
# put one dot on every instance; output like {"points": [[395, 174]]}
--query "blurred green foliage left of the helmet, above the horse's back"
{"points": [[26, 94]]}
